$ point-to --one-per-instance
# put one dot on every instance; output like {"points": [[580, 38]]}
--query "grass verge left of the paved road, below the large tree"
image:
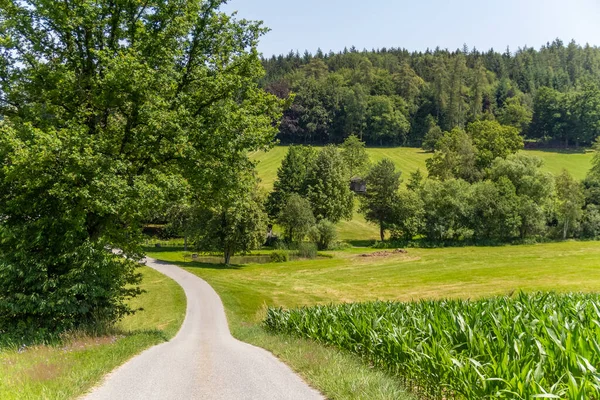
{"points": [[68, 370]]}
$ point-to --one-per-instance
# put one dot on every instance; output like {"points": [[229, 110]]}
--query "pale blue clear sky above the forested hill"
{"points": [[419, 24]]}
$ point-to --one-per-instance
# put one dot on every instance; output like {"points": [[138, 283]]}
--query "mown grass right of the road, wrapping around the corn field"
{"points": [[466, 272]]}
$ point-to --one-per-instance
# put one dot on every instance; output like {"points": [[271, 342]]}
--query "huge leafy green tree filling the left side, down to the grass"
{"points": [[105, 107]]}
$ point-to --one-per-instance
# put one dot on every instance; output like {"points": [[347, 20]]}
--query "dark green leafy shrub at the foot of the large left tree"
{"points": [[93, 291]]}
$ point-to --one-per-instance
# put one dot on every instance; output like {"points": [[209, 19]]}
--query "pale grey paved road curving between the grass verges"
{"points": [[203, 361]]}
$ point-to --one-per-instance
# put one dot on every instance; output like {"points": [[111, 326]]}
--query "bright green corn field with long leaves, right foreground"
{"points": [[539, 345]]}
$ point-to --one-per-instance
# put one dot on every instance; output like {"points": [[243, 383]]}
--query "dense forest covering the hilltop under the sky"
{"points": [[395, 97]]}
